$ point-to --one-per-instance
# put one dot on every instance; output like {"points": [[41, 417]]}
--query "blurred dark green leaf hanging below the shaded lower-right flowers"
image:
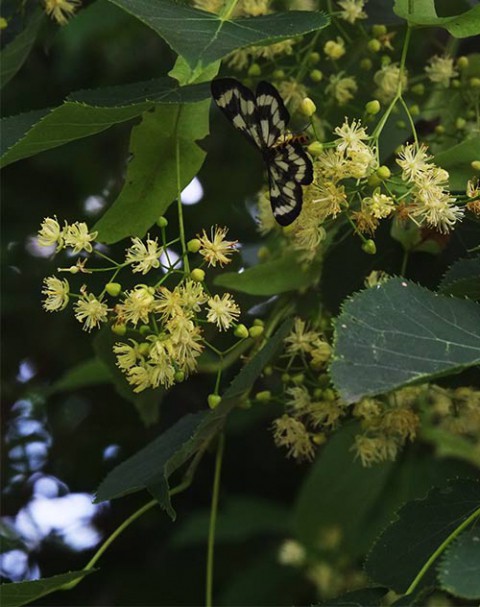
{"points": [[340, 495]]}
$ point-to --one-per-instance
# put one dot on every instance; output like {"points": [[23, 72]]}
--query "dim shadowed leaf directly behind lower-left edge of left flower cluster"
{"points": [[146, 402]]}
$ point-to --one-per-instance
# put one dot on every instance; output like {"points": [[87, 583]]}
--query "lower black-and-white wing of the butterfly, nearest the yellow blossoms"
{"points": [[289, 168]]}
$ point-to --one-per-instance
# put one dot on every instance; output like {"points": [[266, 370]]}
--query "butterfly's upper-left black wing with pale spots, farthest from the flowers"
{"points": [[238, 104]]}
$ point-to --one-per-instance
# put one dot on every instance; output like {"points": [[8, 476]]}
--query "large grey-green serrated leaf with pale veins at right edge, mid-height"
{"points": [[399, 334]]}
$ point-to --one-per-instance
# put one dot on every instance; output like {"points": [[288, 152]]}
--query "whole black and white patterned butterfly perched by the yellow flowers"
{"points": [[263, 118]]}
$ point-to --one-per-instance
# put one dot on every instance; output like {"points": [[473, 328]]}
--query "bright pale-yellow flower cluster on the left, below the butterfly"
{"points": [[169, 320]]}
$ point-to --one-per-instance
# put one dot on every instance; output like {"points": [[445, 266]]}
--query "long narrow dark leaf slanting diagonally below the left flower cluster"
{"points": [[152, 466]]}
